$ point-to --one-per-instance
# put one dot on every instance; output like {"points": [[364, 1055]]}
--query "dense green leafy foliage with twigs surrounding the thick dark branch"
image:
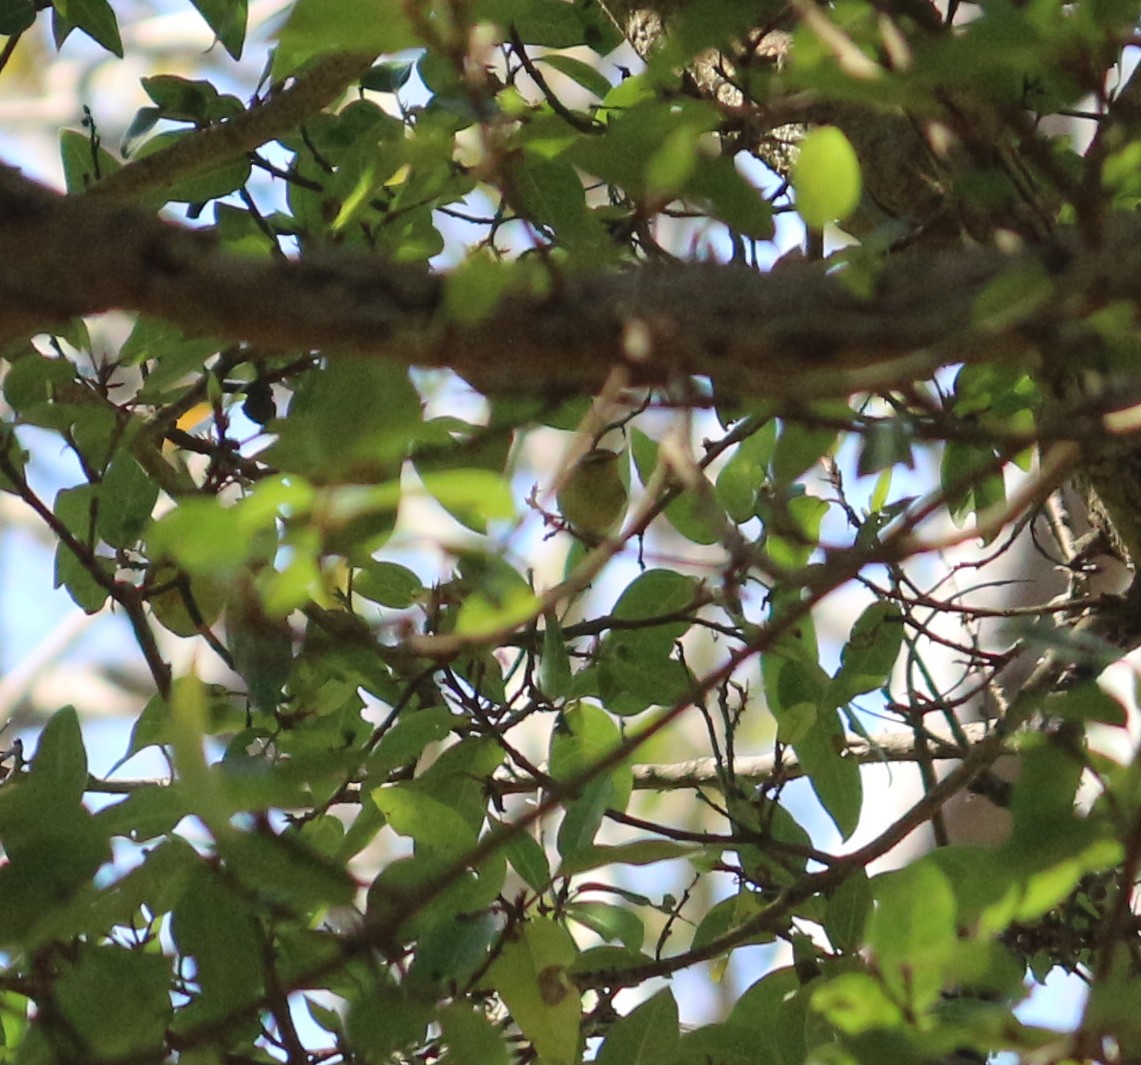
{"points": [[411, 810]]}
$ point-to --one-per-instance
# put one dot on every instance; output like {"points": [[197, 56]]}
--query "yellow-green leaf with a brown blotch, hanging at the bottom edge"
{"points": [[531, 975]]}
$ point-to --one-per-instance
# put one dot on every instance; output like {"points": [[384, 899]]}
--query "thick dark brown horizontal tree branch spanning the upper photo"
{"points": [[795, 333]]}
